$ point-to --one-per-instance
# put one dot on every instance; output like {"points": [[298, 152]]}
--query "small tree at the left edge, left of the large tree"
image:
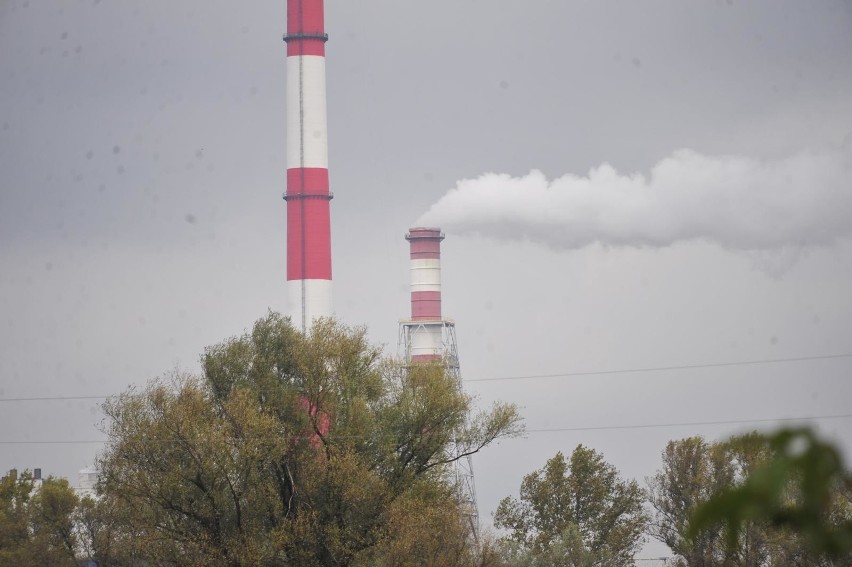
{"points": [[36, 521]]}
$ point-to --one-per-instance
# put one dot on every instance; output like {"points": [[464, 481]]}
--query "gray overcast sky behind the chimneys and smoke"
{"points": [[142, 165]]}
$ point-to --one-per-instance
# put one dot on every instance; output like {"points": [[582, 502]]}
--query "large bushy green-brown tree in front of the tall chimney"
{"points": [[293, 449]]}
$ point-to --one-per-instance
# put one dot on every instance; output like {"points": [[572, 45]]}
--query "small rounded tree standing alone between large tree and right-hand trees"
{"points": [[577, 512]]}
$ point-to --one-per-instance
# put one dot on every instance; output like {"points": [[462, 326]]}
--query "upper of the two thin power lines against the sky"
{"points": [[533, 376]]}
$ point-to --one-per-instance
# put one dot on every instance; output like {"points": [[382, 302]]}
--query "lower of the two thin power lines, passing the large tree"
{"points": [[543, 430]]}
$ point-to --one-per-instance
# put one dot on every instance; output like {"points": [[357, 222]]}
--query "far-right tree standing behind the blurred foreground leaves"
{"points": [[700, 480]]}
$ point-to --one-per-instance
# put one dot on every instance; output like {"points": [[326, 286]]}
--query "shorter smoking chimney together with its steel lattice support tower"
{"points": [[429, 338]]}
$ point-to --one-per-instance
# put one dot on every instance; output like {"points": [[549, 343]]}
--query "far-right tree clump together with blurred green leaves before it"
{"points": [[752, 501]]}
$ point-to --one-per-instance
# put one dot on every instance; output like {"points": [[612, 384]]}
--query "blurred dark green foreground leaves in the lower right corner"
{"points": [[802, 488]]}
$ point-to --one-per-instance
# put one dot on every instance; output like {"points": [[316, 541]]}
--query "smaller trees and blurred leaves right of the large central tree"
{"points": [[751, 501]]}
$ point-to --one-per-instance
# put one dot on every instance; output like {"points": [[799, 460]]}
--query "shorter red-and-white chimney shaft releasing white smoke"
{"points": [[426, 338]]}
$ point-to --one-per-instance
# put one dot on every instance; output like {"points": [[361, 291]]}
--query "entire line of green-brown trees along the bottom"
{"points": [[314, 450]]}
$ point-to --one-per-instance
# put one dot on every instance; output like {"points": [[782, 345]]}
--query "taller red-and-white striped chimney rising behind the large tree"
{"points": [[307, 196]]}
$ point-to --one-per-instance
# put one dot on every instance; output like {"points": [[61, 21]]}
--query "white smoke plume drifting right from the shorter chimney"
{"points": [[739, 203]]}
